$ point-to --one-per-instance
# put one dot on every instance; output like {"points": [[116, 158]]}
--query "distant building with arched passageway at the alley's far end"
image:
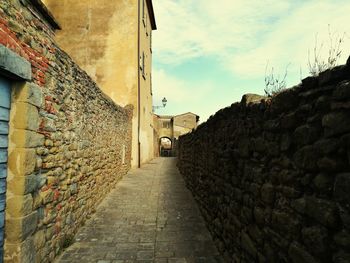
{"points": [[167, 130]]}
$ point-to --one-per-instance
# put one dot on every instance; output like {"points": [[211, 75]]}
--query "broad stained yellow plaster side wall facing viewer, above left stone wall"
{"points": [[102, 39]]}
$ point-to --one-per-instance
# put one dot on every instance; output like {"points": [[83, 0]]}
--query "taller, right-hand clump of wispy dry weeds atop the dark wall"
{"points": [[316, 63]]}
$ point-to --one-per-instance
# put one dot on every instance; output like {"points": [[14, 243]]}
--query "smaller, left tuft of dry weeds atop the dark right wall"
{"points": [[274, 84]]}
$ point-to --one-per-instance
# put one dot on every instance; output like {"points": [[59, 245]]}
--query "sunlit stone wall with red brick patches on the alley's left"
{"points": [[69, 143]]}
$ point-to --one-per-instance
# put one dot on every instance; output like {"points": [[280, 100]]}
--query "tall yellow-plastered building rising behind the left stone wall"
{"points": [[112, 41]]}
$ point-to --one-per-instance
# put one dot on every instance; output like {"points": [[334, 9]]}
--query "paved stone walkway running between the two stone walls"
{"points": [[149, 217]]}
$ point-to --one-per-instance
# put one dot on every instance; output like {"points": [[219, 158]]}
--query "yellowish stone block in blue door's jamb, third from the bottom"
{"points": [[19, 205]]}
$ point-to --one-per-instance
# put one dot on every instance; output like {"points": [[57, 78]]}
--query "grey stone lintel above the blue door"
{"points": [[13, 65]]}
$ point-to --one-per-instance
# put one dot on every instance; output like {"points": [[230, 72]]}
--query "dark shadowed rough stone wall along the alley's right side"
{"points": [[272, 176]]}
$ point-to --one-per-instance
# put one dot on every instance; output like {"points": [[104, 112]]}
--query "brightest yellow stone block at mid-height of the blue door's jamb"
{"points": [[22, 161]]}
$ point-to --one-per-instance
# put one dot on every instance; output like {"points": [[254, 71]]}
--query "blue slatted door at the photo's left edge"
{"points": [[5, 102]]}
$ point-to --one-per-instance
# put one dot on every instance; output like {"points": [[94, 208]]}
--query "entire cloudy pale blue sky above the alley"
{"points": [[208, 53]]}
